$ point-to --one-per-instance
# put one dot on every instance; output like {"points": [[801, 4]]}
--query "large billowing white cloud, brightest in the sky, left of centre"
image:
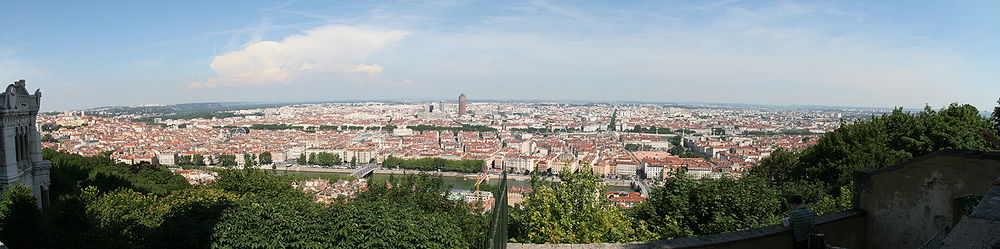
{"points": [[333, 50]]}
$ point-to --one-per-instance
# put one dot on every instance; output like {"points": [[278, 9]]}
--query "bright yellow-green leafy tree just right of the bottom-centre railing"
{"points": [[573, 211]]}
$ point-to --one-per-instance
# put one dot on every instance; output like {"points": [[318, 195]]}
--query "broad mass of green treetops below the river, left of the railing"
{"points": [[409, 212]]}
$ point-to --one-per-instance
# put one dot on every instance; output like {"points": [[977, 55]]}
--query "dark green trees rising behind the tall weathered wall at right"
{"points": [[877, 143]]}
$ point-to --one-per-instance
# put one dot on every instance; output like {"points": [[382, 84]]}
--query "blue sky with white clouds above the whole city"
{"points": [[85, 54]]}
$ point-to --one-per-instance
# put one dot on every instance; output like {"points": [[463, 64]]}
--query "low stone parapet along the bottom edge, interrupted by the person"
{"points": [[844, 229]]}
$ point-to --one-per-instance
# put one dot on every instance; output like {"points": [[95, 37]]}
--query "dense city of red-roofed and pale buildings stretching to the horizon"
{"points": [[524, 136]]}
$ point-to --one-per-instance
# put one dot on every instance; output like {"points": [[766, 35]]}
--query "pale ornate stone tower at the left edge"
{"points": [[20, 143]]}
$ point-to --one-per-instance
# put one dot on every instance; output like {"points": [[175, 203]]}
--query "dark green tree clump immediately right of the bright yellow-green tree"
{"points": [[685, 207]]}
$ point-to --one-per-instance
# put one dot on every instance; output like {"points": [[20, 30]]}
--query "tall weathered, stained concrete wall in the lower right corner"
{"points": [[909, 203]]}
